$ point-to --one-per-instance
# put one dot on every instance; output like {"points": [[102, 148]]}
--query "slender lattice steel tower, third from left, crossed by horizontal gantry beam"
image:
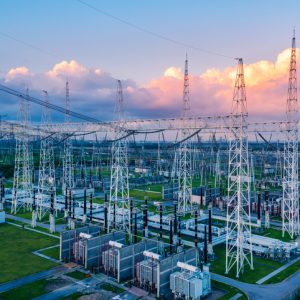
{"points": [[68, 167]]}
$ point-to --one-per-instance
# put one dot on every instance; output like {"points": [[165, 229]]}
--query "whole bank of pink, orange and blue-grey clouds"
{"points": [[92, 90]]}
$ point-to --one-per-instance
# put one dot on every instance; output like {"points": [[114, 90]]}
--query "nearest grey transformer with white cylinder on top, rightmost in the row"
{"points": [[190, 282]]}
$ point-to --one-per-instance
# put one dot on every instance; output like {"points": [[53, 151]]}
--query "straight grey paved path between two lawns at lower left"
{"points": [[31, 278]]}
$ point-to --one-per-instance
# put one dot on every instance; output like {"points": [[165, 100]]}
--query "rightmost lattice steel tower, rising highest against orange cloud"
{"points": [[290, 199]]}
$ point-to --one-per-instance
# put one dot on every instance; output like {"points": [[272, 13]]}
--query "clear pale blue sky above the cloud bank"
{"points": [[251, 29]]}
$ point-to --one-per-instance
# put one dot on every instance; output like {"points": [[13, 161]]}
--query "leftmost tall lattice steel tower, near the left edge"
{"points": [[22, 186]]}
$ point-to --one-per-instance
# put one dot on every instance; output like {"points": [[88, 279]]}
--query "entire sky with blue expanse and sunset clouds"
{"points": [[144, 44]]}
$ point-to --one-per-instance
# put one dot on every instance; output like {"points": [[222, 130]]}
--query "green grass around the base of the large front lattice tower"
{"points": [[262, 267]]}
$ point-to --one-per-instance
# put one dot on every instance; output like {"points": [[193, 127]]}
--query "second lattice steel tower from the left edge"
{"points": [[46, 183]]}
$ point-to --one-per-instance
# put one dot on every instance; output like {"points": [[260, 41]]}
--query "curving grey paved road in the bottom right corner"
{"points": [[263, 292]]}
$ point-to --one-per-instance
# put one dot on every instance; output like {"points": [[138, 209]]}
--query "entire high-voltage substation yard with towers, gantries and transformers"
{"points": [[159, 205]]}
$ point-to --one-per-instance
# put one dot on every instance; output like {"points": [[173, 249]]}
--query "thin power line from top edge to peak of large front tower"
{"points": [[155, 34]]}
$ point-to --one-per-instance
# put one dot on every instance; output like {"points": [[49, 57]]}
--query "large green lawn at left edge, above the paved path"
{"points": [[16, 258]]}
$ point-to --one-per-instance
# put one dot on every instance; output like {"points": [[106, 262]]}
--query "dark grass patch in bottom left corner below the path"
{"points": [[27, 291]]}
